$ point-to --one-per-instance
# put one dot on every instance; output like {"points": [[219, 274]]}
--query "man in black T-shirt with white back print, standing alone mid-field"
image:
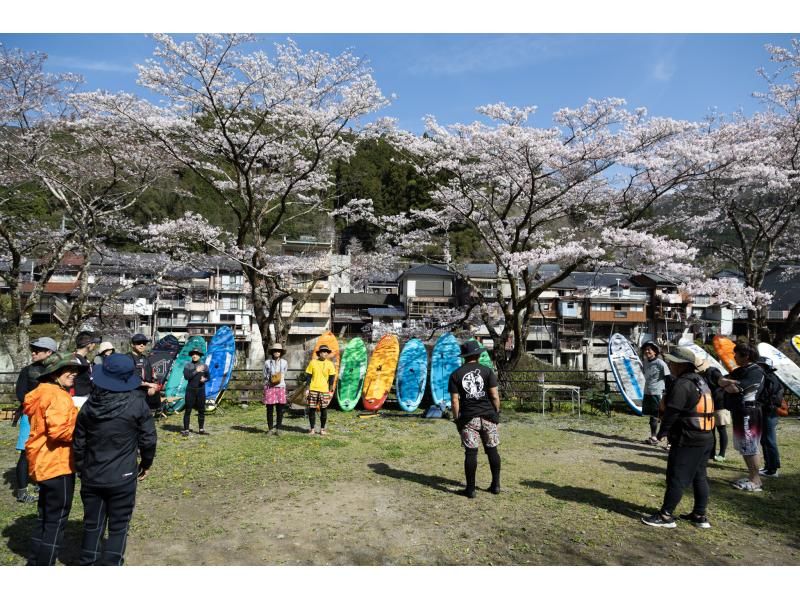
{"points": [[475, 403]]}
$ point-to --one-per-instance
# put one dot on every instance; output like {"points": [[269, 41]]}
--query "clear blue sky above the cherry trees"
{"points": [[448, 75]]}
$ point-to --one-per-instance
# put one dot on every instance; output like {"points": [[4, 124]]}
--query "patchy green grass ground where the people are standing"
{"points": [[383, 491]]}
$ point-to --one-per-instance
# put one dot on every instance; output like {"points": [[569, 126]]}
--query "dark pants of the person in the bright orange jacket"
{"points": [[55, 502]]}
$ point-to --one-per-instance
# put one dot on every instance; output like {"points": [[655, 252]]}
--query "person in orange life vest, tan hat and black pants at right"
{"points": [[688, 424]]}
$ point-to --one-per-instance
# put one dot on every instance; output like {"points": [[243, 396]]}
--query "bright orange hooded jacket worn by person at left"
{"points": [[49, 447]]}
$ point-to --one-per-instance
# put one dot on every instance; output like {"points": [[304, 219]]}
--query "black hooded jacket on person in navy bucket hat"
{"points": [[112, 427]]}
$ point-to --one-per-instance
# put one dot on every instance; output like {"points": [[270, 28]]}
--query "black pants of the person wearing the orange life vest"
{"points": [[686, 466]]}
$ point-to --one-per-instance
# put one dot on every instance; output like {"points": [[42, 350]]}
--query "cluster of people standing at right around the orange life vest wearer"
{"points": [[690, 399]]}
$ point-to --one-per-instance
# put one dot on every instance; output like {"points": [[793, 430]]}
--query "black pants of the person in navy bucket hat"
{"points": [[101, 506]]}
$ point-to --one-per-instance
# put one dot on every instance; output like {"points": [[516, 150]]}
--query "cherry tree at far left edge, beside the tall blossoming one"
{"points": [[62, 161]]}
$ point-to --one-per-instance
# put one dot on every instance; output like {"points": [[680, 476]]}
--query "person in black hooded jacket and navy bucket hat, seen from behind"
{"points": [[114, 424]]}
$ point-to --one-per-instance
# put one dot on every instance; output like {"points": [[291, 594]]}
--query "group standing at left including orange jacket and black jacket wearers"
{"points": [[84, 419]]}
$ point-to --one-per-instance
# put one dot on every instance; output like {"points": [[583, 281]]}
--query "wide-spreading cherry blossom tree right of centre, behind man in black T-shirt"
{"points": [[577, 194]]}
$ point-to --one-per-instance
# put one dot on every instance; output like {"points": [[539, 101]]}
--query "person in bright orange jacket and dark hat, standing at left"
{"points": [[52, 415]]}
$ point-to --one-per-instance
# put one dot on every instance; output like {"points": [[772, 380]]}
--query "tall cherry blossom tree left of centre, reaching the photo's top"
{"points": [[262, 132]]}
